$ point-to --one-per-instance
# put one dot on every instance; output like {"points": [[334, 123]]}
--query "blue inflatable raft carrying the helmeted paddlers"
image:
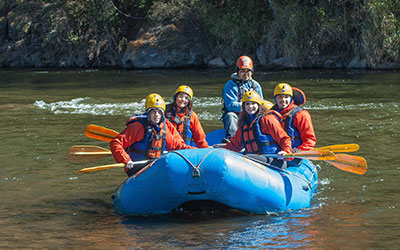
{"points": [[217, 175]]}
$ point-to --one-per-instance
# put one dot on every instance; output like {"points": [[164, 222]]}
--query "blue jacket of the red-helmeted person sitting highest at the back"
{"points": [[234, 90]]}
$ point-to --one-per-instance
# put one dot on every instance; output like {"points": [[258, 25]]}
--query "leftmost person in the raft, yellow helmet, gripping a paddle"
{"points": [[146, 136]]}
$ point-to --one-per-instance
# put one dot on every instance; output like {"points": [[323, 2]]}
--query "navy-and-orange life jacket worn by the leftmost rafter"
{"points": [[153, 143]]}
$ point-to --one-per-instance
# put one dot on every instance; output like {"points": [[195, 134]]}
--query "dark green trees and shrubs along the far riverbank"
{"points": [[298, 29]]}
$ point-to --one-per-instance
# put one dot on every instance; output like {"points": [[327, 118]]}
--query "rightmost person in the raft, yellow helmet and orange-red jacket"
{"points": [[295, 120]]}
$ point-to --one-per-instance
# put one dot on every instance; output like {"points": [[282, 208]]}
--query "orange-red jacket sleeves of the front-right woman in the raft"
{"points": [[269, 125]]}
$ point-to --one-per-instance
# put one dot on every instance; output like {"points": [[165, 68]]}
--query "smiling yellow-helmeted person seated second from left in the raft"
{"points": [[185, 120]]}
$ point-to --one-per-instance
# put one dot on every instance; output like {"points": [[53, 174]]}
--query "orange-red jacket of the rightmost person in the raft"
{"points": [[302, 121]]}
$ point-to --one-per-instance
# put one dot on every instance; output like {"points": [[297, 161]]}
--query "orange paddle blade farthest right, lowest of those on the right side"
{"points": [[350, 163]]}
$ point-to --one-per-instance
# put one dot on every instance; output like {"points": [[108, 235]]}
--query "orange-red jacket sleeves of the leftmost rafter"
{"points": [[134, 132]]}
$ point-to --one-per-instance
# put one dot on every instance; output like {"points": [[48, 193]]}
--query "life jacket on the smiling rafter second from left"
{"points": [[182, 124]]}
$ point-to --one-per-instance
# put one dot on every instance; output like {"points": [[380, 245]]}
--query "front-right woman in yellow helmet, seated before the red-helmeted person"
{"points": [[260, 131]]}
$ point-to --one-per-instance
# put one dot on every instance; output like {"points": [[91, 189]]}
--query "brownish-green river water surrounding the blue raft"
{"points": [[46, 205]]}
